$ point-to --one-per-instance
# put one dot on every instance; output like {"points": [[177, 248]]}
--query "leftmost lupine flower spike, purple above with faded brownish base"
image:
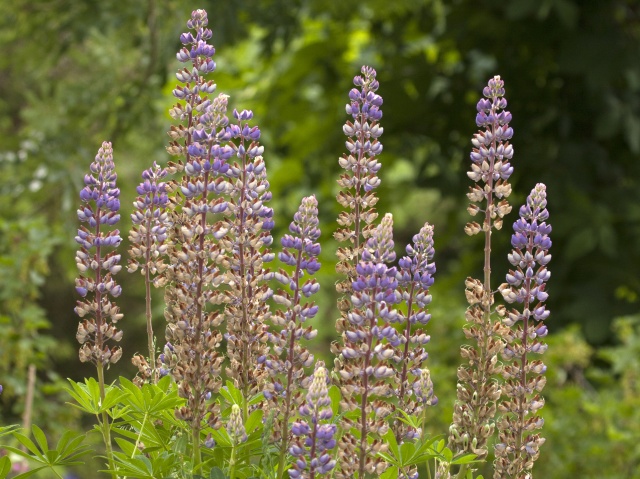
{"points": [[95, 284]]}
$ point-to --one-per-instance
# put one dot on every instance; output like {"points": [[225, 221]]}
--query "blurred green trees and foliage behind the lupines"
{"points": [[75, 73]]}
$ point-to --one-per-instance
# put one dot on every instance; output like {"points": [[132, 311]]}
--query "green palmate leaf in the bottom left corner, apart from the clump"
{"points": [[66, 453]]}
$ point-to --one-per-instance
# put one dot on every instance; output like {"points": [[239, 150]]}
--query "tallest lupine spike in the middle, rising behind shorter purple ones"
{"points": [[357, 185]]}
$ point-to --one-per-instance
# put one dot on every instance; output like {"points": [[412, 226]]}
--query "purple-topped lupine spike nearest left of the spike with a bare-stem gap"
{"points": [[415, 277]]}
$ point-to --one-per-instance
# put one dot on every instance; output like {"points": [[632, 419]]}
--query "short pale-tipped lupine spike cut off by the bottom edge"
{"points": [[315, 438]]}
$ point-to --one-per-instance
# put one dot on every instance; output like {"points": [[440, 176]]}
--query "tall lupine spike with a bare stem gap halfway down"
{"points": [[477, 391]]}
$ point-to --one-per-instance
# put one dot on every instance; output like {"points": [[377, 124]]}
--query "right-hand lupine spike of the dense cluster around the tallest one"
{"points": [[244, 237]]}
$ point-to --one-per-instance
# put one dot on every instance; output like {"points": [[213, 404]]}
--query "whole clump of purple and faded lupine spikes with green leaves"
{"points": [[233, 391]]}
